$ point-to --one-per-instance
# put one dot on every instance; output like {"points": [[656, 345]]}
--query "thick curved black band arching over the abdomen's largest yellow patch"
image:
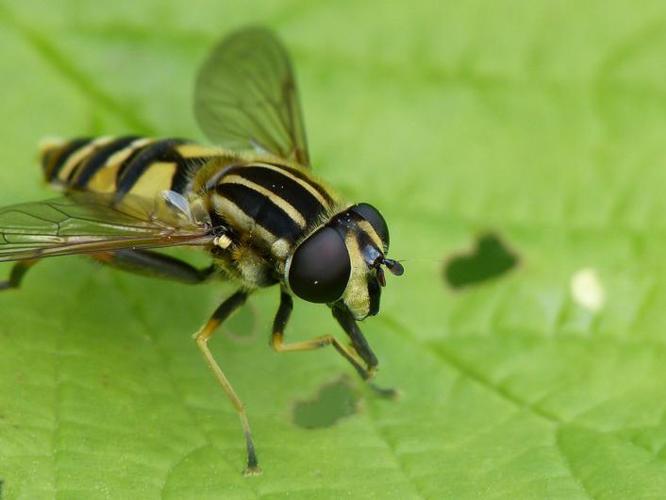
{"points": [[132, 170]]}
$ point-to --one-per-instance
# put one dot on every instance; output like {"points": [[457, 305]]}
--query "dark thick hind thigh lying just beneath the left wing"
{"points": [[155, 265]]}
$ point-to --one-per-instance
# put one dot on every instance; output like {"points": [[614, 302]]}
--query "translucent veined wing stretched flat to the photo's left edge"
{"points": [[90, 223]]}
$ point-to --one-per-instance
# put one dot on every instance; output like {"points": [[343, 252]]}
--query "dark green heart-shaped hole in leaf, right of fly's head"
{"points": [[489, 259]]}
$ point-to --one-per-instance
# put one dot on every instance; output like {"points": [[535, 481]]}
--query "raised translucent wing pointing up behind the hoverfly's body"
{"points": [[246, 97]]}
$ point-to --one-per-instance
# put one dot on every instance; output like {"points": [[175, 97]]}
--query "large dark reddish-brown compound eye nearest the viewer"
{"points": [[320, 267]]}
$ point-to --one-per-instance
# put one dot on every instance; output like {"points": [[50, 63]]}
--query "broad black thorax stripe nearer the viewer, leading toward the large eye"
{"points": [[262, 210]]}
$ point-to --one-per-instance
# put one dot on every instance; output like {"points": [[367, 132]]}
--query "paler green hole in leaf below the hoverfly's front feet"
{"points": [[333, 402]]}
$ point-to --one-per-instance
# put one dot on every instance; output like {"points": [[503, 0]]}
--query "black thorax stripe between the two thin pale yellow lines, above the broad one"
{"points": [[286, 188]]}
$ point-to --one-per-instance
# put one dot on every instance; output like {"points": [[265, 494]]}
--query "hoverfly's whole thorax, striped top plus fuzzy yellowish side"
{"points": [[268, 208]]}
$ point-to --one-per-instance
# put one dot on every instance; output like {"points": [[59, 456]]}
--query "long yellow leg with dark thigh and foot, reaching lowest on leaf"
{"points": [[202, 337]]}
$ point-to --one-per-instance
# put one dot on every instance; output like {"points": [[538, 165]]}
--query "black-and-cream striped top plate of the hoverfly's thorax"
{"points": [[276, 203]]}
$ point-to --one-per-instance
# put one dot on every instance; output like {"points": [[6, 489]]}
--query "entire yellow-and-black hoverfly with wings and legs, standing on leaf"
{"points": [[251, 203]]}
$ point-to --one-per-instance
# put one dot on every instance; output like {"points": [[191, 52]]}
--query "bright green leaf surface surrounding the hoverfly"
{"points": [[542, 122]]}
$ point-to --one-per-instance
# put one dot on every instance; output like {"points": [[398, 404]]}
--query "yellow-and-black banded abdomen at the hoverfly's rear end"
{"points": [[121, 165]]}
